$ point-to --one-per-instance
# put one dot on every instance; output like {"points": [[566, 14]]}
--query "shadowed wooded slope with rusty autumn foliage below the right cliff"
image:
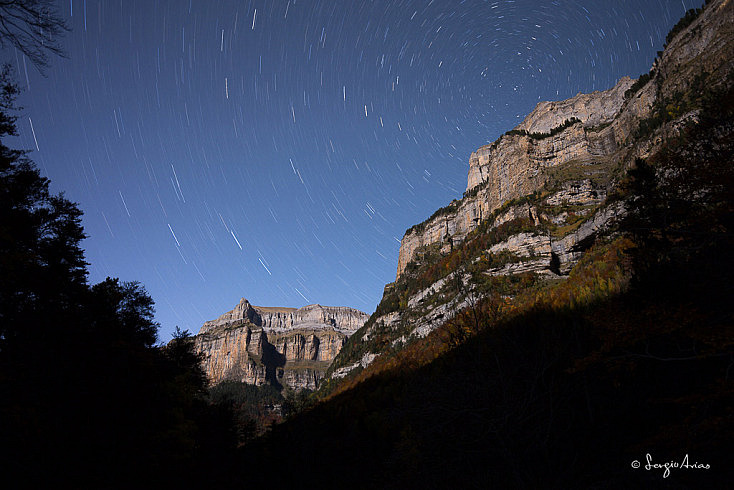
{"points": [[633, 349]]}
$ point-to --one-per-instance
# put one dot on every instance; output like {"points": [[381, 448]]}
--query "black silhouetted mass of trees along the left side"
{"points": [[86, 396]]}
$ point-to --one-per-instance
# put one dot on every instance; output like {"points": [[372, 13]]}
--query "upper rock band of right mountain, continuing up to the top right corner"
{"points": [[533, 155]]}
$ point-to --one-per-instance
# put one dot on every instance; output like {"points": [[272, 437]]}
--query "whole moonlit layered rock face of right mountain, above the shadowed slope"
{"points": [[538, 197]]}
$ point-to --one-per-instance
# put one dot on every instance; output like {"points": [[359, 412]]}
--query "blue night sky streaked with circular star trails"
{"points": [[278, 150]]}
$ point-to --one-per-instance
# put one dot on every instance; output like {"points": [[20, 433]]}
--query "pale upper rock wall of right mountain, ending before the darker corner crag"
{"points": [[518, 163]]}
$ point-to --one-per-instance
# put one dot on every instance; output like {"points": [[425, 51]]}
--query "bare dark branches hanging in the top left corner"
{"points": [[33, 27]]}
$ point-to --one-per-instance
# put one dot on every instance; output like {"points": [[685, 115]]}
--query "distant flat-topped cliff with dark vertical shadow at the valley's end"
{"points": [[281, 346]]}
